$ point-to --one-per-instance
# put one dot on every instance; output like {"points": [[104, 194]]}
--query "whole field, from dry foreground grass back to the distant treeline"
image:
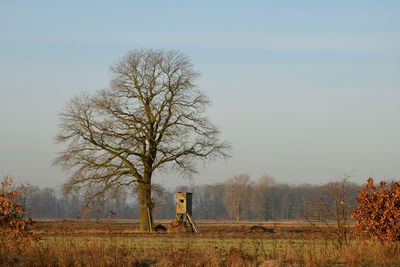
{"points": [[120, 243]]}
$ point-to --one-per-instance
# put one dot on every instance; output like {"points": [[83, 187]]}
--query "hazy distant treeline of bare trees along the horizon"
{"points": [[237, 198]]}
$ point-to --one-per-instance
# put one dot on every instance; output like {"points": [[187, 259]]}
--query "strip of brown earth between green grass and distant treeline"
{"points": [[287, 230]]}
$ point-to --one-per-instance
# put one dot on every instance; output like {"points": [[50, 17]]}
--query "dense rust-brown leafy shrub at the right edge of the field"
{"points": [[378, 212]]}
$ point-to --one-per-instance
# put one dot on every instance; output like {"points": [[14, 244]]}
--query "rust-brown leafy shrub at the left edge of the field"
{"points": [[12, 224]]}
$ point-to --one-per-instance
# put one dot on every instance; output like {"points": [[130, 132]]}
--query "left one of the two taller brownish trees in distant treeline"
{"points": [[236, 196]]}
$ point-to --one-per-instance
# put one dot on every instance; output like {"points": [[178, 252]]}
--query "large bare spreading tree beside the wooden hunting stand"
{"points": [[151, 117]]}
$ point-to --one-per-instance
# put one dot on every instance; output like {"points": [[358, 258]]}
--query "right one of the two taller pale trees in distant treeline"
{"points": [[260, 198]]}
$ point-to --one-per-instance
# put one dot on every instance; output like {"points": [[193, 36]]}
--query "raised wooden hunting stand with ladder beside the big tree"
{"points": [[184, 209]]}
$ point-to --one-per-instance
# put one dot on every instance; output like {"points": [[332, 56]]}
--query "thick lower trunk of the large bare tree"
{"points": [[146, 207]]}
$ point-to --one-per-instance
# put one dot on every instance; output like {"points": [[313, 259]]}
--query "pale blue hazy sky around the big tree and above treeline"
{"points": [[305, 90]]}
